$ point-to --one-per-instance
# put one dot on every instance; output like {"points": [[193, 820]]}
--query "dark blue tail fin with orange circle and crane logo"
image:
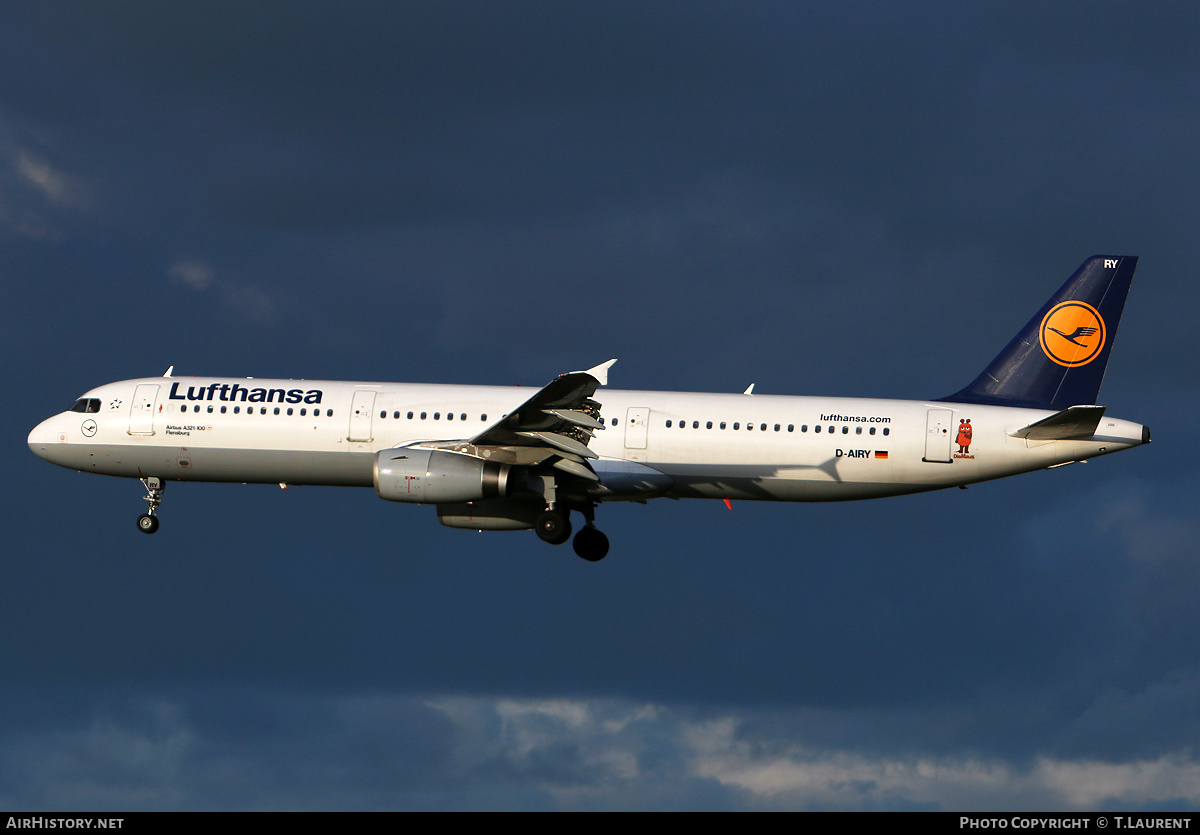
{"points": [[1059, 358]]}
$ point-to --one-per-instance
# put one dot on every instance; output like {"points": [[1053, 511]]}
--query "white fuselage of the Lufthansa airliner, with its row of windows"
{"points": [[707, 446]]}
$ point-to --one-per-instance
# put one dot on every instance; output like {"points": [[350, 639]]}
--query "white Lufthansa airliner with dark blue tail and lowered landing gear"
{"points": [[496, 459]]}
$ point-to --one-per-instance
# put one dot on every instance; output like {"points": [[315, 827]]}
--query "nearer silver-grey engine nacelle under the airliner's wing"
{"points": [[435, 477]]}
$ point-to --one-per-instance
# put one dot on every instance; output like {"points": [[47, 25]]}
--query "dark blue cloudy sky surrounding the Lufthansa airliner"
{"points": [[862, 200]]}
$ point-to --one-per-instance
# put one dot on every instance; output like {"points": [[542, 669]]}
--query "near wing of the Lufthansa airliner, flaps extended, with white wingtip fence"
{"points": [[553, 428]]}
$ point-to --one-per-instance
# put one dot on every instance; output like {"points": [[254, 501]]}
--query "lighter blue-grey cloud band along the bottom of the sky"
{"points": [[189, 750]]}
